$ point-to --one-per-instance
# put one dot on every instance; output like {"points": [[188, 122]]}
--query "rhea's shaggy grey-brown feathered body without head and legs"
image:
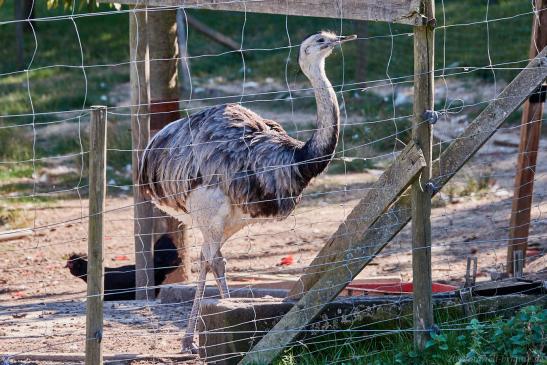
{"points": [[255, 163]]}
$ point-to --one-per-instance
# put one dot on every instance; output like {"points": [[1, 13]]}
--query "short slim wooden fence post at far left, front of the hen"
{"points": [[95, 270]]}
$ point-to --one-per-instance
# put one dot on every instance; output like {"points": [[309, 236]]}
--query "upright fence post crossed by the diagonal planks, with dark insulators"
{"points": [[421, 197]]}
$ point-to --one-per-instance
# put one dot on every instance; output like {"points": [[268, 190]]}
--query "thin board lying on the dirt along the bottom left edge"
{"points": [[80, 357]]}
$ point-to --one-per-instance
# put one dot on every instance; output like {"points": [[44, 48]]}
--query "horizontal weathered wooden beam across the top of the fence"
{"points": [[394, 11]]}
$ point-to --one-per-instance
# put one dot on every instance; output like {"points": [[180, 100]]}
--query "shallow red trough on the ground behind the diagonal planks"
{"points": [[359, 287]]}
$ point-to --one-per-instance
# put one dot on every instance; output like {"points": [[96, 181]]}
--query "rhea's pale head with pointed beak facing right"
{"points": [[316, 48]]}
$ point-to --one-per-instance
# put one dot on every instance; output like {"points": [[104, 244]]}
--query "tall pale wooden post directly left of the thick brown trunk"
{"points": [[140, 133]]}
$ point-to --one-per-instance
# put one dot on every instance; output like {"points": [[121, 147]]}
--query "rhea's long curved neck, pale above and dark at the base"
{"points": [[317, 152]]}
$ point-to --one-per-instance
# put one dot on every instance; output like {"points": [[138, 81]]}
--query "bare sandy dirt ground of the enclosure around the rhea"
{"points": [[43, 309]]}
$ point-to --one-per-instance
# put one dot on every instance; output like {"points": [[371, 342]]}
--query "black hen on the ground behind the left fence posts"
{"points": [[119, 282]]}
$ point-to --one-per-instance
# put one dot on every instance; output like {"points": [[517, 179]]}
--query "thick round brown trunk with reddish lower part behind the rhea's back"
{"points": [[164, 109]]}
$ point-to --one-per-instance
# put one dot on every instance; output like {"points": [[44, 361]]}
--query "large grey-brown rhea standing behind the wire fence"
{"points": [[223, 167]]}
